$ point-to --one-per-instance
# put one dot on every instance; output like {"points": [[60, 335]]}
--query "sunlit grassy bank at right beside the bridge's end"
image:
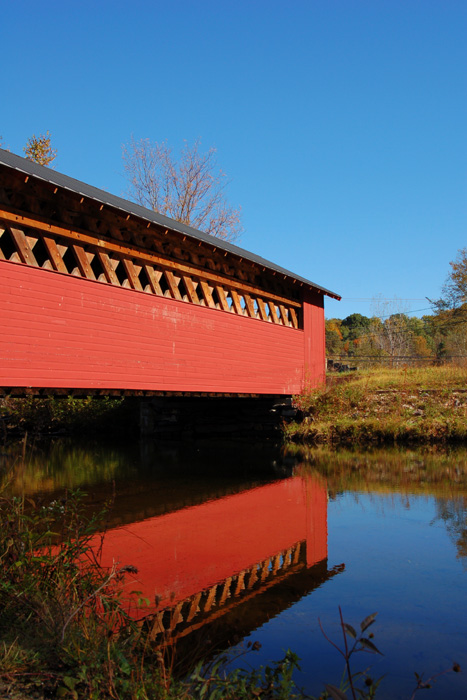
{"points": [[384, 406]]}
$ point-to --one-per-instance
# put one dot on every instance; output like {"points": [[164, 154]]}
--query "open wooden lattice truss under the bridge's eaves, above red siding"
{"points": [[47, 227]]}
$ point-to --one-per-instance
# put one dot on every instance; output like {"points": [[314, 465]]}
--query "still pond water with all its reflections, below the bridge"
{"points": [[238, 542]]}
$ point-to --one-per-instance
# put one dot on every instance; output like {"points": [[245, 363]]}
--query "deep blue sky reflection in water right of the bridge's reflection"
{"points": [[400, 562]]}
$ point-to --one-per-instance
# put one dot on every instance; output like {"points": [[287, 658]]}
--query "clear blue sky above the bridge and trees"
{"points": [[341, 124]]}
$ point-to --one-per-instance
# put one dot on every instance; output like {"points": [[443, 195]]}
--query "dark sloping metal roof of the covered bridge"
{"points": [[41, 172]]}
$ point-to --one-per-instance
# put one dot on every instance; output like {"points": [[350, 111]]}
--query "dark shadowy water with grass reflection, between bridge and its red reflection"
{"points": [[142, 478]]}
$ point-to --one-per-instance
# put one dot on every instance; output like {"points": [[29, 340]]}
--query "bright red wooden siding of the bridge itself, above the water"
{"points": [[61, 331]]}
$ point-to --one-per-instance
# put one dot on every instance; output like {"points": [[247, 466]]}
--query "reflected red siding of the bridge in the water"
{"points": [[181, 553]]}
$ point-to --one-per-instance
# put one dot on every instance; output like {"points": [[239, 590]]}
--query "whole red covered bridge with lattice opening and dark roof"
{"points": [[101, 295]]}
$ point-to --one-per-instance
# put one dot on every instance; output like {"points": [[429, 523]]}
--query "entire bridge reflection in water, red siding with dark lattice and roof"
{"points": [[261, 549]]}
